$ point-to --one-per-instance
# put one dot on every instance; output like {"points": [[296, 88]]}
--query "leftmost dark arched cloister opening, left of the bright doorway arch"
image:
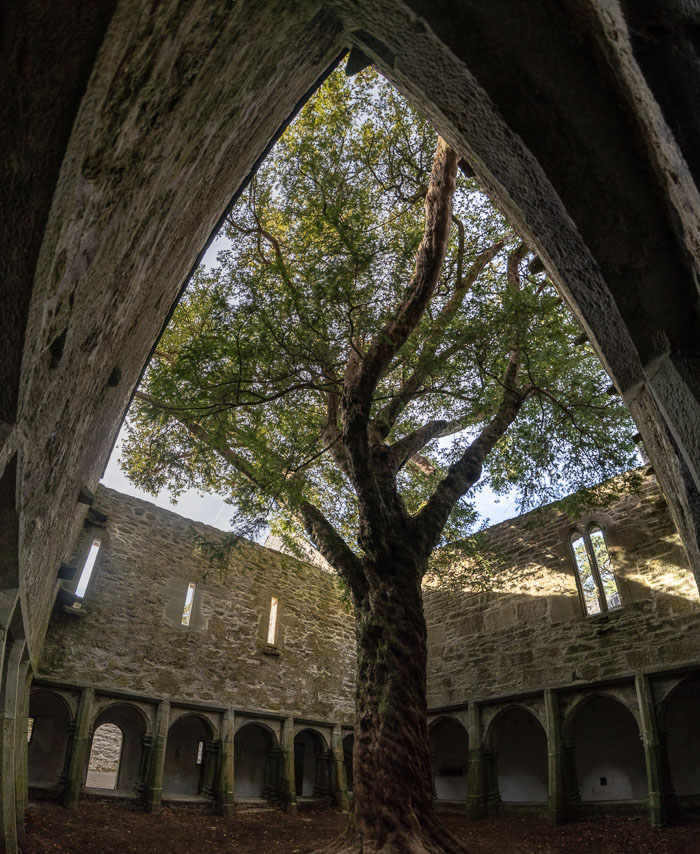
{"points": [[51, 719]]}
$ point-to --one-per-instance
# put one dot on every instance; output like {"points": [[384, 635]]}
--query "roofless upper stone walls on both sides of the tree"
{"points": [[526, 632]]}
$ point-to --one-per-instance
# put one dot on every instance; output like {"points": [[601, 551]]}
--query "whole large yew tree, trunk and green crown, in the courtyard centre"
{"points": [[375, 343]]}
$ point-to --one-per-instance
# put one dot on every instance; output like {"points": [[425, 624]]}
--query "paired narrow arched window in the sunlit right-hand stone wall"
{"points": [[596, 579]]}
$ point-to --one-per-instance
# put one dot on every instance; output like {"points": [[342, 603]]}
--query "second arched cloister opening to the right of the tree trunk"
{"points": [[519, 741]]}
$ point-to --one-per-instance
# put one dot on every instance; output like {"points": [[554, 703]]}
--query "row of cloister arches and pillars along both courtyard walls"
{"points": [[487, 758]]}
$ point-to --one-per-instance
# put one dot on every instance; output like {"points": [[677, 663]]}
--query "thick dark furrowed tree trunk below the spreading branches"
{"points": [[392, 798]]}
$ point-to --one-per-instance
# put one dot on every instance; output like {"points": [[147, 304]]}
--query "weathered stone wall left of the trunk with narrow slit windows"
{"points": [[131, 637]]}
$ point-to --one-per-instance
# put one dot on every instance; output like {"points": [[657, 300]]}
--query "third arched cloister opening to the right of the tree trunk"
{"points": [[608, 752]]}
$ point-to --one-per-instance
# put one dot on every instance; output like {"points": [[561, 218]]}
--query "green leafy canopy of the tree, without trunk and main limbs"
{"points": [[244, 391]]}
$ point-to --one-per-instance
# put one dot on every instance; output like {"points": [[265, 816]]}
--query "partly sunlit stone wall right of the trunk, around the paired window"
{"points": [[529, 630]]}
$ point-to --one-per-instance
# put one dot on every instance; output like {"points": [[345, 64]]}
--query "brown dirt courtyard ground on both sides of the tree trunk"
{"points": [[105, 828]]}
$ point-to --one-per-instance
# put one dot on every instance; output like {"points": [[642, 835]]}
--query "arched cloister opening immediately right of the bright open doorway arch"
{"points": [[186, 755]]}
